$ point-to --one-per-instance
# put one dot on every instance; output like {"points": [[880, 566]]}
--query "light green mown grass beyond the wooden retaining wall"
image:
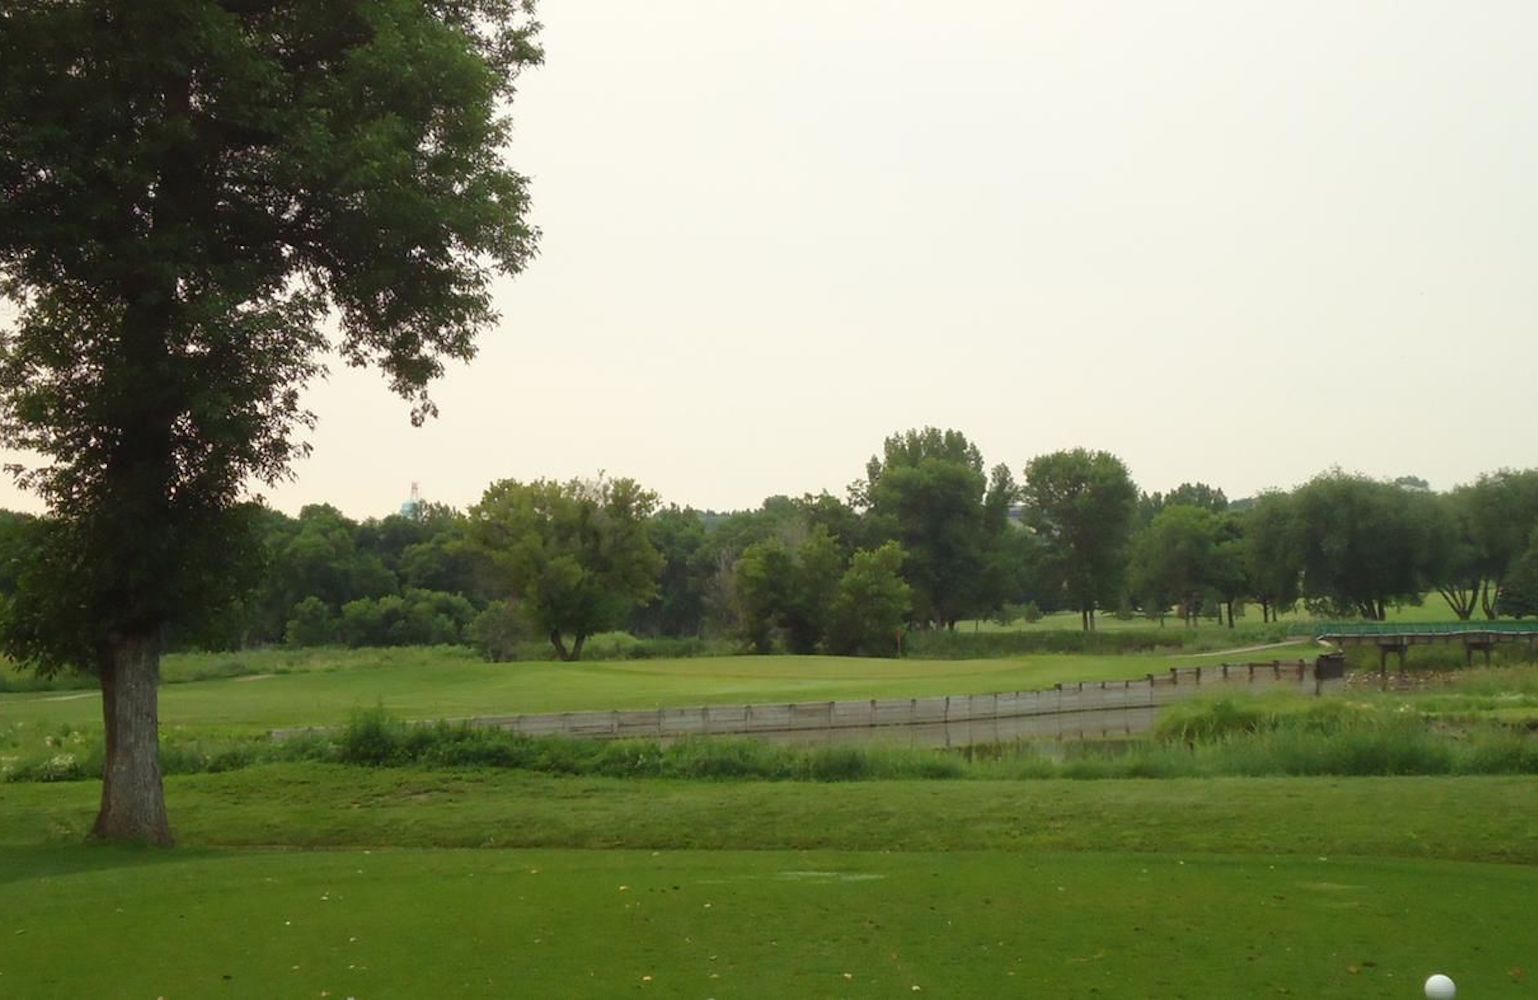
{"points": [[456, 685]]}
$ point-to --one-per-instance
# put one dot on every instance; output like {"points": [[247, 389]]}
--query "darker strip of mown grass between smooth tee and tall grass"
{"points": [[310, 805]]}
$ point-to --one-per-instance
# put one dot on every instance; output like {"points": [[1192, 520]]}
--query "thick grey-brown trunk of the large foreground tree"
{"points": [[133, 796]]}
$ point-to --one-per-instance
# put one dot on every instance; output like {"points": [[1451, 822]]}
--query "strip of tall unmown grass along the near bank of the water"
{"points": [[1211, 739]]}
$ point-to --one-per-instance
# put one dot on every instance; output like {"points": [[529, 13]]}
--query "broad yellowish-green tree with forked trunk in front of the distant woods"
{"points": [[576, 555]]}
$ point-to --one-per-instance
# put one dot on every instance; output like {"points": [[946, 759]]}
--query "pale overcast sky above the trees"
{"points": [[1236, 242]]}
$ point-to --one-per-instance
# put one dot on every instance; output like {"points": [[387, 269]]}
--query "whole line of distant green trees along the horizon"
{"points": [[925, 539]]}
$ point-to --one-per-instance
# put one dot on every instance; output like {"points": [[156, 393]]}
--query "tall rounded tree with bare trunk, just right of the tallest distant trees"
{"points": [[1082, 505]]}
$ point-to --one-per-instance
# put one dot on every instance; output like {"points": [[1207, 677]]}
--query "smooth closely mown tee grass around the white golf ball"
{"points": [[581, 924]]}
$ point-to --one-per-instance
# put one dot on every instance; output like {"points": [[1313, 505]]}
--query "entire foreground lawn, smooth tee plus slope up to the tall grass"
{"points": [[1199, 890]]}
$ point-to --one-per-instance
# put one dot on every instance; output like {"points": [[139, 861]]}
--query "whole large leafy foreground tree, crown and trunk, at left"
{"points": [[191, 192]]}
